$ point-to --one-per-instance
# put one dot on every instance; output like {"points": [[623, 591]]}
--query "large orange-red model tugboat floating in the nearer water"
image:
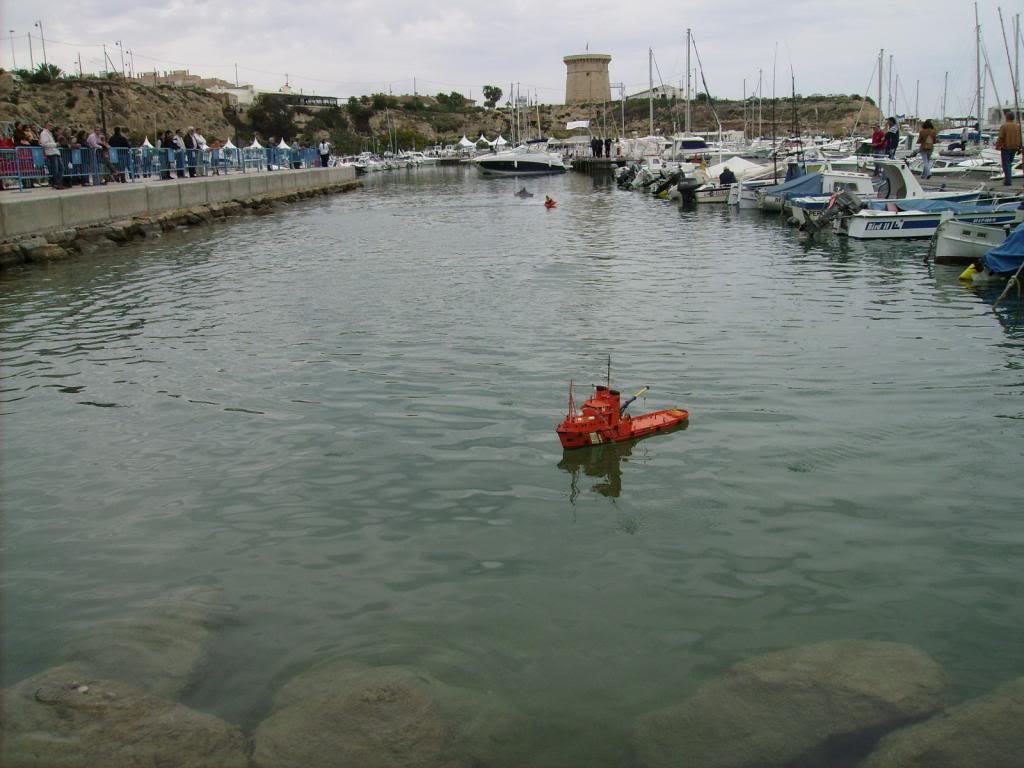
{"points": [[603, 419]]}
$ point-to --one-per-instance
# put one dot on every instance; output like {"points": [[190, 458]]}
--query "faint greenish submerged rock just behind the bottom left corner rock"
{"points": [[160, 651]]}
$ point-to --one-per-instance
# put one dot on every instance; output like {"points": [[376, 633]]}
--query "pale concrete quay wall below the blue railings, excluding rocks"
{"points": [[44, 210]]}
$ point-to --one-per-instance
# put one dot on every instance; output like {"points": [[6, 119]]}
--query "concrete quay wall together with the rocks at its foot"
{"points": [[49, 225]]}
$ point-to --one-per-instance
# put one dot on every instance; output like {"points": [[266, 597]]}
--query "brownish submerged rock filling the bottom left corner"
{"points": [[63, 718]]}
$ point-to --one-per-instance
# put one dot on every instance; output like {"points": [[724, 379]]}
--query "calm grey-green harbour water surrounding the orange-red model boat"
{"points": [[340, 418]]}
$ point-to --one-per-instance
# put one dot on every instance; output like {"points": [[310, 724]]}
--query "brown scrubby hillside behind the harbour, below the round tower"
{"points": [[379, 121]]}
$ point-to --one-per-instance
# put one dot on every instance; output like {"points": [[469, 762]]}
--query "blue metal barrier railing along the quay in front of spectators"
{"points": [[28, 166]]}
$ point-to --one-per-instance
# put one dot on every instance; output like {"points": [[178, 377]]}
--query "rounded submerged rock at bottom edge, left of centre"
{"points": [[344, 715]]}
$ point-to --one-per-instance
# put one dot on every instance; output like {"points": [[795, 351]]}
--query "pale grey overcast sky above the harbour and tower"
{"points": [[361, 47]]}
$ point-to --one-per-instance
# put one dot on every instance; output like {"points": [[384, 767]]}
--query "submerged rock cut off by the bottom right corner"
{"points": [[987, 732]]}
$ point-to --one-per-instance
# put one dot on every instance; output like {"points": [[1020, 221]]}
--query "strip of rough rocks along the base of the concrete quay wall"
{"points": [[75, 242]]}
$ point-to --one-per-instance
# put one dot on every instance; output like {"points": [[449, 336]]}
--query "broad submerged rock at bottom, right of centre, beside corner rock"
{"points": [[819, 705]]}
